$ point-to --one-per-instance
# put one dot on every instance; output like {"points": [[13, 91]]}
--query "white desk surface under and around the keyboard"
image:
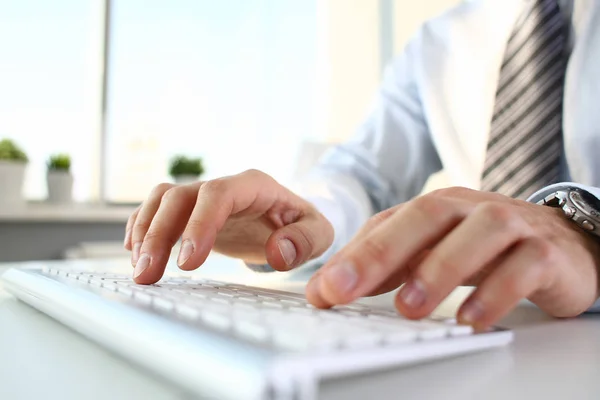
{"points": [[550, 359]]}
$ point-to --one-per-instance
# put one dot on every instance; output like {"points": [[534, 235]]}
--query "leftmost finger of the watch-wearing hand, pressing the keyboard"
{"points": [[366, 264]]}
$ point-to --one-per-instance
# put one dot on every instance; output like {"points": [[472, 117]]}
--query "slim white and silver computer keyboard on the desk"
{"points": [[205, 335]]}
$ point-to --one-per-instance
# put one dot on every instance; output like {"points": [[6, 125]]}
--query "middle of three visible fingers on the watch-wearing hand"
{"points": [[479, 239]]}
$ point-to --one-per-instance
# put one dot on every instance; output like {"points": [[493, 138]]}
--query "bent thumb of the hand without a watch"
{"points": [[299, 242]]}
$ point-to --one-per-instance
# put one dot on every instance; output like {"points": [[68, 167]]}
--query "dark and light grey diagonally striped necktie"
{"points": [[525, 143]]}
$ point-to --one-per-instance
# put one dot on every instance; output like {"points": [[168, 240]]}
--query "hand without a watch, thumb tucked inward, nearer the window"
{"points": [[248, 216]]}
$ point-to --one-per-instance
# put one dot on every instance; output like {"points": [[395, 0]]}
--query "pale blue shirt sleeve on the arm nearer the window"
{"points": [[387, 162]]}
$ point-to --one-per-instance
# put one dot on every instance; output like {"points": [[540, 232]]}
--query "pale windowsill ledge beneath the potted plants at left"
{"points": [[73, 213]]}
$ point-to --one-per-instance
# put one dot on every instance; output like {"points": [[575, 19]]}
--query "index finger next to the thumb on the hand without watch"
{"points": [[243, 194]]}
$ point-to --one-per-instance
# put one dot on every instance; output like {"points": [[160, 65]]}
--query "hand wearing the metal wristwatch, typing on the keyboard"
{"points": [[509, 248]]}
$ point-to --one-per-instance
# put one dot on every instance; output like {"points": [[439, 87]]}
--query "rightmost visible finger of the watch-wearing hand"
{"points": [[526, 270]]}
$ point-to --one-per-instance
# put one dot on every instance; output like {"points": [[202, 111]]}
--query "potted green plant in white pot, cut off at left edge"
{"points": [[13, 162]]}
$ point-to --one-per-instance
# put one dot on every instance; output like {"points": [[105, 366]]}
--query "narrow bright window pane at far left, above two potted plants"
{"points": [[47, 86]]}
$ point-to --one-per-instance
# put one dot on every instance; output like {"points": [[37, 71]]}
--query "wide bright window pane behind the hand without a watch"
{"points": [[234, 82]]}
